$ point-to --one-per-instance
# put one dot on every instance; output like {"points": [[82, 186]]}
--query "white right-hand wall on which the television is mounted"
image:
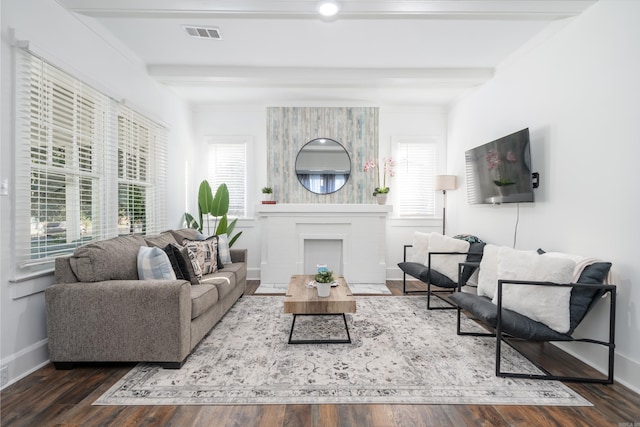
{"points": [[577, 90]]}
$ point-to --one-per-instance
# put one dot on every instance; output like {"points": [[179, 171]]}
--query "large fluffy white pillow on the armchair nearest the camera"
{"points": [[546, 304]]}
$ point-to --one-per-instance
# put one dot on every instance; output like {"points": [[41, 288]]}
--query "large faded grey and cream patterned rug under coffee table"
{"points": [[400, 353]]}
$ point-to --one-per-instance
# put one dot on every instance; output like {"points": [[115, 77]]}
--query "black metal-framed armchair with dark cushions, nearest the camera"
{"points": [[600, 292]]}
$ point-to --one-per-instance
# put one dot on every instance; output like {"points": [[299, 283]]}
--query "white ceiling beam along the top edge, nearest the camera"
{"points": [[354, 9]]}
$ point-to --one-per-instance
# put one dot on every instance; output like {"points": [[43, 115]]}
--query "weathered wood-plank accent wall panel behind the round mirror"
{"points": [[289, 128]]}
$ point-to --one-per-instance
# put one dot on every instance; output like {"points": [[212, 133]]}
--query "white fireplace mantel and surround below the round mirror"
{"points": [[358, 228]]}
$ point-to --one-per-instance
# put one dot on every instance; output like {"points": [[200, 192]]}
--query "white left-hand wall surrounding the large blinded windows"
{"points": [[103, 63]]}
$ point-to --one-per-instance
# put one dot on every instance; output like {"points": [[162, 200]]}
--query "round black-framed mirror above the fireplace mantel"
{"points": [[323, 166]]}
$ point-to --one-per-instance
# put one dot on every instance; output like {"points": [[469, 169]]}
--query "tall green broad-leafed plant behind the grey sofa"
{"points": [[217, 207]]}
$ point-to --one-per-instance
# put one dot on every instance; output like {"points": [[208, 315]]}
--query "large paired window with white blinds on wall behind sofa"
{"points": [[70, 164]]}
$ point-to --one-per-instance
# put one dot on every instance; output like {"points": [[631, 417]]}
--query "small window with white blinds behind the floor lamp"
{"points": [[415, 174]]}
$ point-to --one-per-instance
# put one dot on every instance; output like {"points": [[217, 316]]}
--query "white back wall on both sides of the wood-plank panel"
{"points": [[251, 120]]}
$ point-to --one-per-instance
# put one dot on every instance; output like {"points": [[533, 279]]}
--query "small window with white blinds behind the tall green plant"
{"points": [[227, 157]]}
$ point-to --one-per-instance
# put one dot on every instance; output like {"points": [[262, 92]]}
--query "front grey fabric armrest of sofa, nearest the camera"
{"points": [[119, 320]]}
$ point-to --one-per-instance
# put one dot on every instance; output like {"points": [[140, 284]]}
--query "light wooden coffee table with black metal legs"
{"points": [[301, 300]]}
